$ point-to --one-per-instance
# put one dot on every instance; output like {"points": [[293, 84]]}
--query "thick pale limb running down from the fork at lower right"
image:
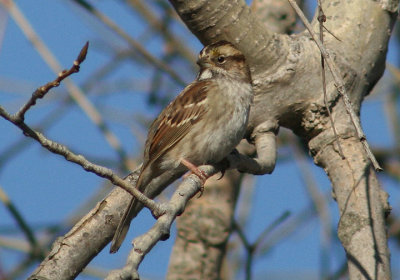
{"points": [[363, 207]]}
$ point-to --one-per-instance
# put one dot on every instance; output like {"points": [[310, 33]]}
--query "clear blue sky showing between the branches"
{"points": [[47, 189]]}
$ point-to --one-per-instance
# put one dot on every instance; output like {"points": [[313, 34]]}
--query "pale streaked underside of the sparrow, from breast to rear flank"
{"points": [[210, 142]]}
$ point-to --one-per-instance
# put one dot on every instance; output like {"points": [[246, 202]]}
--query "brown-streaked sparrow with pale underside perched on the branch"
{"points": [[202, 125]]}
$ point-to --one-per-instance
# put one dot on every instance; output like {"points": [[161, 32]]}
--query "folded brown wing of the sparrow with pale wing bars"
{"points": [[175, 121]]}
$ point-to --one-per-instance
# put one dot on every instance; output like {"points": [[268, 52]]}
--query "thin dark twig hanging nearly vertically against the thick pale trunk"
{"points": [[322, 19]]}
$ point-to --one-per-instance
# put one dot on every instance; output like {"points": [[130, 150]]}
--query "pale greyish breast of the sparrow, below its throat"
{"points": [[225, 122]]}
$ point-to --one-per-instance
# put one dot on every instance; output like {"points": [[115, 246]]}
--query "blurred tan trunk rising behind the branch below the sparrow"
{"points": [[203, 230]]}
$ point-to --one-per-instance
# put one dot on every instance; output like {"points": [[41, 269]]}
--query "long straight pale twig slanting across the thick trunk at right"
{"points": [[339, 83]]}
